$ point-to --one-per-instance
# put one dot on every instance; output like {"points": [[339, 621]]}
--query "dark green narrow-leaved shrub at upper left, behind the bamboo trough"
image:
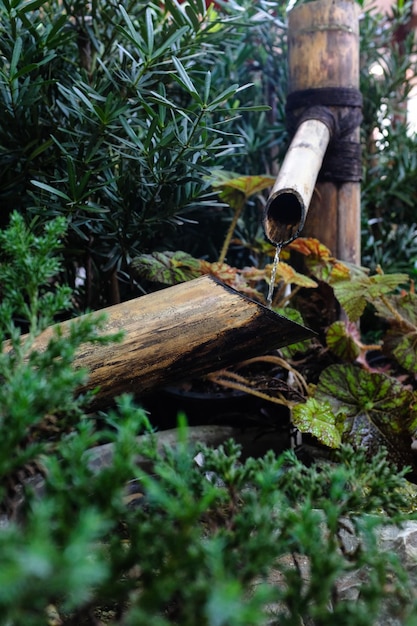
{"points": [[112, 117]]}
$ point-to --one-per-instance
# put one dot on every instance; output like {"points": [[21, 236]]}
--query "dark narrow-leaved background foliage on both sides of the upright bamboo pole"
{"points": [[114, 116]]}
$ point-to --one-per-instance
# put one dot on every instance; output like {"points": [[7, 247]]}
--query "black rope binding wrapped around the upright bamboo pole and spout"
{"points": [[343, 159]]}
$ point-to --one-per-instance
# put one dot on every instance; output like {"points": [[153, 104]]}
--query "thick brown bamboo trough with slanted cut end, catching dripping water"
{"points": [[175, 334]]}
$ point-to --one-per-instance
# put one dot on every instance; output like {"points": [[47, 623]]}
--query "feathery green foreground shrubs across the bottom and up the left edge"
{"points": [[210, 539]]}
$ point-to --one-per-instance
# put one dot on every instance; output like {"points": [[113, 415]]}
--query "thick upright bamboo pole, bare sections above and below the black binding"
{"points": [[323, 51]]}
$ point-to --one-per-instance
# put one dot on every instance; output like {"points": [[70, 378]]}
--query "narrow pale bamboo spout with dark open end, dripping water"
{"points": [[290, 197]]}
